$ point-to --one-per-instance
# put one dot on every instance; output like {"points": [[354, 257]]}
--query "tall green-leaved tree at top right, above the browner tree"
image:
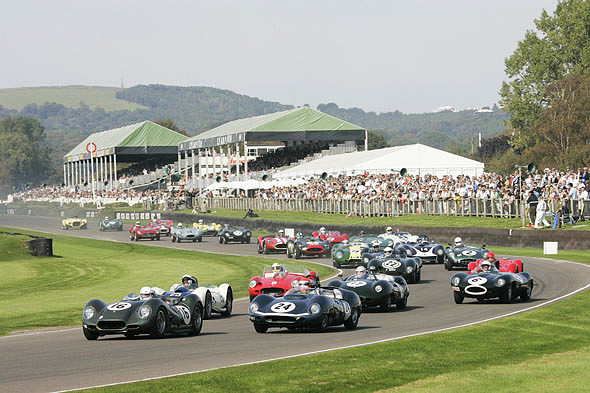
{"points": [[562, 48]]}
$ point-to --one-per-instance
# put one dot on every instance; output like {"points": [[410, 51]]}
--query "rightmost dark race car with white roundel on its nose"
{"points": [[505, 286]]}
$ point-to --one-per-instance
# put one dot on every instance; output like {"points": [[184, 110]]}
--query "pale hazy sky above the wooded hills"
{"points": [[412, 56]]}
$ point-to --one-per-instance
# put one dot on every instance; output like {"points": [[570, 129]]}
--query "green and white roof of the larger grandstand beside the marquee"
{"points": [[298, 124]]}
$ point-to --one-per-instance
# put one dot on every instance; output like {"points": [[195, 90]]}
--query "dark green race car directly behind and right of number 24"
{"points": [[376, 290]]}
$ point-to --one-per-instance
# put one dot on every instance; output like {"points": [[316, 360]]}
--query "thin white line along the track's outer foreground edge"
{"points": [[348, 346]]}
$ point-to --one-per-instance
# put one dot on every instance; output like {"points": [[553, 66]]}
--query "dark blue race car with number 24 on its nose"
{"points": [[316, 308]]}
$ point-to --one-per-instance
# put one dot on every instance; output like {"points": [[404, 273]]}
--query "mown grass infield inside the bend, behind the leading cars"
{"points": [[57, 288]]}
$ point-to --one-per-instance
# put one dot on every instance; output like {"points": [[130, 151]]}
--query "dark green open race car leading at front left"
{"points": [[156, 315]]}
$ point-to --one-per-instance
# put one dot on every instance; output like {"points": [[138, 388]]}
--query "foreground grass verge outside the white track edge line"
{"points": [[496, 356]]}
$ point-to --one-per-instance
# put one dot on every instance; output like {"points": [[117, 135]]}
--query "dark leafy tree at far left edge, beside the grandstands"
{"points": [[25, 159]]}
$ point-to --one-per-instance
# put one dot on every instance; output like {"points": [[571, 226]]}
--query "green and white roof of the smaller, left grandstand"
{"points": [[135, 139]]}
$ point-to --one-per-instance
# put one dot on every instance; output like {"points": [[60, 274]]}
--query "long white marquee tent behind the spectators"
{"points": [[417, 159]]}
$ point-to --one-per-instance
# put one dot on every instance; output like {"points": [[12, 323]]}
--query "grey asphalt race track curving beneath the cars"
{"points": [[62, 359]]}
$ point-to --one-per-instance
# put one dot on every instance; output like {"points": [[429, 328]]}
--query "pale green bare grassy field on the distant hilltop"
{"points": [[69, 96]]}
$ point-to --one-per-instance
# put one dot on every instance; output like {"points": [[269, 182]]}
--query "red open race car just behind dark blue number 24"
{"points": [[277, 280]]}
